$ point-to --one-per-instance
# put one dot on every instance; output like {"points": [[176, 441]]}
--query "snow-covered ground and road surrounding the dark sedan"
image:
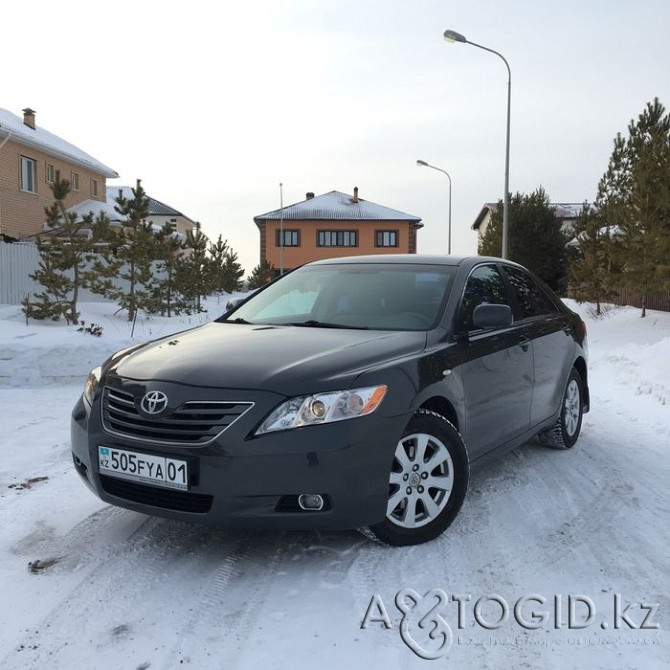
{"points": [[86, 585]]}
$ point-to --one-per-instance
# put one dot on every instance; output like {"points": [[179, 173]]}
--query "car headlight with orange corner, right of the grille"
{"points": [[323, 408]]}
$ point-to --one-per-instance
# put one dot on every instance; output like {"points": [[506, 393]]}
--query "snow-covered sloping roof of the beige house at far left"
{"points": [[40, 139]]}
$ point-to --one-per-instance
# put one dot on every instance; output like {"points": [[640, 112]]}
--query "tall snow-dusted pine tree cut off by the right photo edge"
{"points": [[634, 198]]}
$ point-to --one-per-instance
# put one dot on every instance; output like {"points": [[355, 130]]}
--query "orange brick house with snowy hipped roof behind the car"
{"points": [[331, 225]]}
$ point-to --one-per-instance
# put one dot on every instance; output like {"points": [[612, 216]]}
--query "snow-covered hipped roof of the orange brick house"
{"points": [[337, 206]]}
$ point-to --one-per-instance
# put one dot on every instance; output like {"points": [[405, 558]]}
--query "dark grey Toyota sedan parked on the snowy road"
{"points": [[349, 393]]}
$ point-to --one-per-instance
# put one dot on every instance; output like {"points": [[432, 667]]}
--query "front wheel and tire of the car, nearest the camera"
{"points": [[430, 451]]}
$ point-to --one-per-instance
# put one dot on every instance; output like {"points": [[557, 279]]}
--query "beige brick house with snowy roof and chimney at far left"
{"points": [[29, 159]]}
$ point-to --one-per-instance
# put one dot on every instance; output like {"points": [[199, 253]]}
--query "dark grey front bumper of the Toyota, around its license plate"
{"points": [[243, 481]]}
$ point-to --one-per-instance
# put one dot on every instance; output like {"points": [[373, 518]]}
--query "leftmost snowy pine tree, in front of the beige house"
{"points": [[65, 255]]}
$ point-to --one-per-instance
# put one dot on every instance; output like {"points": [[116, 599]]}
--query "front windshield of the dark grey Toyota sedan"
{"points": [[375, 296]]}
